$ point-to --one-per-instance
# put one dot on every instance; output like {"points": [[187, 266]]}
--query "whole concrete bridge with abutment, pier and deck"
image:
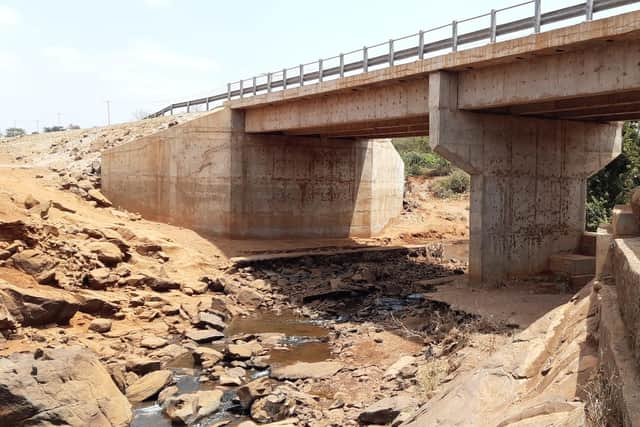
{"points": [[529, 118]]}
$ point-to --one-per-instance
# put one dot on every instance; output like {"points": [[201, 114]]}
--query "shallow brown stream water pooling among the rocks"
{"points": [[302, 341]]}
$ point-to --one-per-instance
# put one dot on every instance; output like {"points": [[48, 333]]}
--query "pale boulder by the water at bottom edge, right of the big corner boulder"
{"points": [[190, 407]]}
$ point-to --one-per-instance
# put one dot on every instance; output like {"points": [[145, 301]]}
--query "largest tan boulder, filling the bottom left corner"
{"points": [[63, 386]]}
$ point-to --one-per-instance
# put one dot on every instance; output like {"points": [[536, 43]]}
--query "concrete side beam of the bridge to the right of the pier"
{"points": [[600, 69]]}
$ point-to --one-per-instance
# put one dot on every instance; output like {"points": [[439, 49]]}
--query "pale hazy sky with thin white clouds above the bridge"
{"points": [[61, 61]]}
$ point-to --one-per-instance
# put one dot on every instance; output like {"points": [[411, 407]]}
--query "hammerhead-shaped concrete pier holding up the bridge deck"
{"points": [[528, 180]]}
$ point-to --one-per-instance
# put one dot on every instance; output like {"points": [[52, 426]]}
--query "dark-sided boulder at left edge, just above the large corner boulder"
{"points": [[38, 305]]}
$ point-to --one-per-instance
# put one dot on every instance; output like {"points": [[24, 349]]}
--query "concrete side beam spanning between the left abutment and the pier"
{"points": [[400, 103]]}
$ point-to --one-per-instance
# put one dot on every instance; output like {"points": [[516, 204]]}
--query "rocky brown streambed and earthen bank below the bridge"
{"points": [[202, 331]]}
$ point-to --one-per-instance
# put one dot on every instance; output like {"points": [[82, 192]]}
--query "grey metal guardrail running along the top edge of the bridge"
{"points": [[297, 76]]}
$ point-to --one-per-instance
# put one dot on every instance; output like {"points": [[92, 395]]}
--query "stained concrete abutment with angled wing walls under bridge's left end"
{"points": [[209, 175]]}
